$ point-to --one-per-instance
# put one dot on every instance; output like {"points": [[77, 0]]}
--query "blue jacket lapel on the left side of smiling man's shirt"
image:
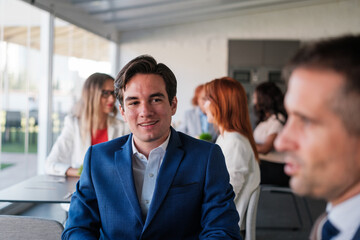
{"points": [[123, 161]]}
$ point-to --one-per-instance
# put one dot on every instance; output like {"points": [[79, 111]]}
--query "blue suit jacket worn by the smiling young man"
{"points": [[192, 198]]}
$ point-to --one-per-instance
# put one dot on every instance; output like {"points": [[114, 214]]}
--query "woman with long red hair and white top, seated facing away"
{"points": [[226, 107]]}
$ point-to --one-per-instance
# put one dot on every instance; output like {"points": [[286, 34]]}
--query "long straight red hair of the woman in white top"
{"points": [[229, 107]]}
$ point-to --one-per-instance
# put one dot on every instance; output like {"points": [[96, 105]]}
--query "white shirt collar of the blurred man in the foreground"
{"points": [[345, 217]]}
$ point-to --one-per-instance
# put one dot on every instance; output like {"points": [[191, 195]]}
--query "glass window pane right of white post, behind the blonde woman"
{"points": [[77, 54]]}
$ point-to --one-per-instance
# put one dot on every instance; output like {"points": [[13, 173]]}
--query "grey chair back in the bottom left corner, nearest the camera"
{"points": [[20, 227]]}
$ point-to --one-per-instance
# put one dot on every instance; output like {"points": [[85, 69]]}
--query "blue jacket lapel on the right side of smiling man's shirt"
{"points": [[167, 172]]}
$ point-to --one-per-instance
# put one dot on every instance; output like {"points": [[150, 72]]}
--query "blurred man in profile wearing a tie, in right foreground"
{"points": [[321, 137]]}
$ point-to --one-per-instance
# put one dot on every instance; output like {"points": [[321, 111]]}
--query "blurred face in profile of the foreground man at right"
{"points": [[322, 159]]}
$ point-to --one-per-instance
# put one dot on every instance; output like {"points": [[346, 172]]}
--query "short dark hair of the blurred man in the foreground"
{"points": [[341, 55]]}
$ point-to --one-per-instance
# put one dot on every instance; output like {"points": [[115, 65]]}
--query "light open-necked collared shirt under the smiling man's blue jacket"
{"points": [[145, 173]]}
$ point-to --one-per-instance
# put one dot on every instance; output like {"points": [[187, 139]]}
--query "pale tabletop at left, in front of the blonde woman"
{"points": [[41, 189]]}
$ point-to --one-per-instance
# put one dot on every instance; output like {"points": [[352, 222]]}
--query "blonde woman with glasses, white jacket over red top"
{"points": [[92, 121]]}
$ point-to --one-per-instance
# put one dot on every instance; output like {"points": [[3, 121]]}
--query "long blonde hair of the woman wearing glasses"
{"points": [[88, 107]]}
